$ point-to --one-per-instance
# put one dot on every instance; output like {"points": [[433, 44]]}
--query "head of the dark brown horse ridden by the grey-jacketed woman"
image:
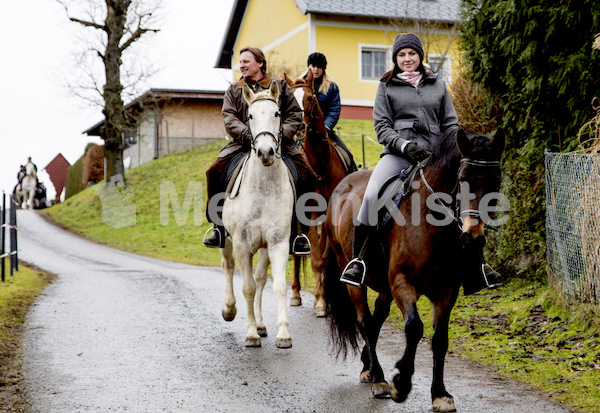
{"points": [[479, 179]]}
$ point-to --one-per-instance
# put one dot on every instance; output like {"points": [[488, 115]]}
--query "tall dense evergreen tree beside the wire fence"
{"points": [[534, 57]]}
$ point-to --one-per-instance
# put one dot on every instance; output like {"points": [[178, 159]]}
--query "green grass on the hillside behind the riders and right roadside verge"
{"points": [[521, 329]]}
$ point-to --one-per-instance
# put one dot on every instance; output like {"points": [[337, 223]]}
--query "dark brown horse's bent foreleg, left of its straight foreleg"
{"points": [[406, 298]]}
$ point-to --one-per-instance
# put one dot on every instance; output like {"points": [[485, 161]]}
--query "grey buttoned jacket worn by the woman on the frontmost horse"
{"points": [[402, 112]]}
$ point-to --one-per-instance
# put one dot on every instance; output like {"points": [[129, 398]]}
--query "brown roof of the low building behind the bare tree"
{"points": [[158, 95]]}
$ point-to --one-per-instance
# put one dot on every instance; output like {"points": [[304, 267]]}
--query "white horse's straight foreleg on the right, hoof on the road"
{"points": [[278, 255]]}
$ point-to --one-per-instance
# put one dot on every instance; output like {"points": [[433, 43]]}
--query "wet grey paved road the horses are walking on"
{"points": [[117, 332]]}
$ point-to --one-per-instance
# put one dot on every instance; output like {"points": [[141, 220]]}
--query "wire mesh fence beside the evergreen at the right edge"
{"points": [[573, 224]]}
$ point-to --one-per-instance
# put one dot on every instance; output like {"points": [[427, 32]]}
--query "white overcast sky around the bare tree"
{"points": [[38, 116]]}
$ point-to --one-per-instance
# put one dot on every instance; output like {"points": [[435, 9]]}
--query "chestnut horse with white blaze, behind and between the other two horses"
{"points": [[328, 167]]}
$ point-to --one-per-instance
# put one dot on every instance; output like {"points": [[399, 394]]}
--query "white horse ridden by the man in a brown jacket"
{"points": [[259, 217]]}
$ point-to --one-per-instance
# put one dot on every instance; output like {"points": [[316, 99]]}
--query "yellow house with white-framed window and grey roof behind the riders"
{"points": [[355, 36]]}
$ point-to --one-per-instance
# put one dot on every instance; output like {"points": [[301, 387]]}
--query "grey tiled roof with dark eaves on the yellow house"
{"points": [[446, 11]]}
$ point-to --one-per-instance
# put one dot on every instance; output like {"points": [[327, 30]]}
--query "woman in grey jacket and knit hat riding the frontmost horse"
{"points": [[412, 108]]}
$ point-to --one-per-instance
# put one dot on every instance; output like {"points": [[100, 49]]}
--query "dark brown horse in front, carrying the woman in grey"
{"points": [[417, 256]]}
